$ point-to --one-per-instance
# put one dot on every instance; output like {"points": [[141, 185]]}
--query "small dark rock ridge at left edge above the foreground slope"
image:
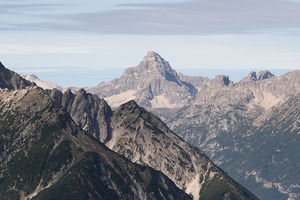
{"points": [[12, 80]]}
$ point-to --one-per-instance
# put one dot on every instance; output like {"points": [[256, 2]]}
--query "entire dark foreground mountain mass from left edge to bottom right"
{"points": [[52, 146]]}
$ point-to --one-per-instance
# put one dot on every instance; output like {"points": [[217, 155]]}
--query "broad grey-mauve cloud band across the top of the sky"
{"points": [[199, 17]]}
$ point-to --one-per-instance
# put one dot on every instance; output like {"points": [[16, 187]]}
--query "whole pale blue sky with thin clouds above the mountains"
{"points": [[82, 44]]}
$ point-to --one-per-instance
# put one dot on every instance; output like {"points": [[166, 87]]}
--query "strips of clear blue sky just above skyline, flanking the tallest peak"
{"points": [[90, 78]]}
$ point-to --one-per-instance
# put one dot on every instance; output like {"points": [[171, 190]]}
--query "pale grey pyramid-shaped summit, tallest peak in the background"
{"points": [[153, 84]]}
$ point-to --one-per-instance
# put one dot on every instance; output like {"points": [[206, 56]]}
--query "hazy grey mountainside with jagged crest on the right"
{"points": [[227, 121]]}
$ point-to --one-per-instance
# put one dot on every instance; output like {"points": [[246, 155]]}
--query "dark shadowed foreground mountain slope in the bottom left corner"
{"points": [[44, 155]]}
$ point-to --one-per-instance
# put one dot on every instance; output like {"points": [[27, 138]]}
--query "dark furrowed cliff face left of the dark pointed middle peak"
{"points": [[90, 113]]}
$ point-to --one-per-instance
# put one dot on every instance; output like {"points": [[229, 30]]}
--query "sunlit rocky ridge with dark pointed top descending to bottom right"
{"points": [[145, 139]]}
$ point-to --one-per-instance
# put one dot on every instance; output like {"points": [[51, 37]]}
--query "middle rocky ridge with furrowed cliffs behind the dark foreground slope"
{"points": [[143, 138]]}
